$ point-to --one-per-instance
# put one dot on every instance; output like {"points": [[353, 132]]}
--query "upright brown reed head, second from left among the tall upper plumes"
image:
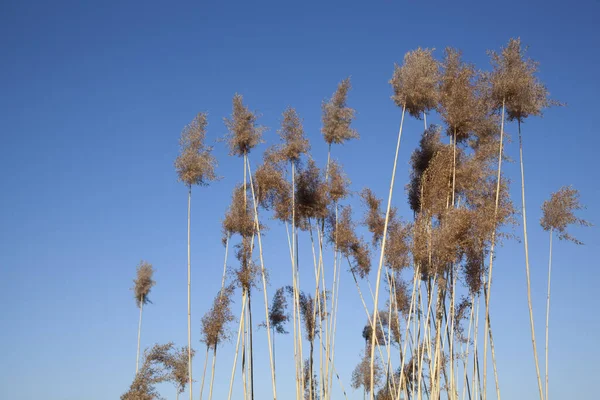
{"points": [[244, 133]]}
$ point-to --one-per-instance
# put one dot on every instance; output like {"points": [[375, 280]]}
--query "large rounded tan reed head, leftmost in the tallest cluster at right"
{"points": [[415, 83]]}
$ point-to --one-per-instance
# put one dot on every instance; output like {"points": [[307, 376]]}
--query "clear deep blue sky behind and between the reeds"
{"points": [[92, 101]]}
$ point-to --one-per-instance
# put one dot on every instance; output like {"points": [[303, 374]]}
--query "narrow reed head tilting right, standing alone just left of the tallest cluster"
{"points": [[337, 116]]}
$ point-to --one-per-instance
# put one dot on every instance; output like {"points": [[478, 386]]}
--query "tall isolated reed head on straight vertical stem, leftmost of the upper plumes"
{"points": [[195, 164]]}
